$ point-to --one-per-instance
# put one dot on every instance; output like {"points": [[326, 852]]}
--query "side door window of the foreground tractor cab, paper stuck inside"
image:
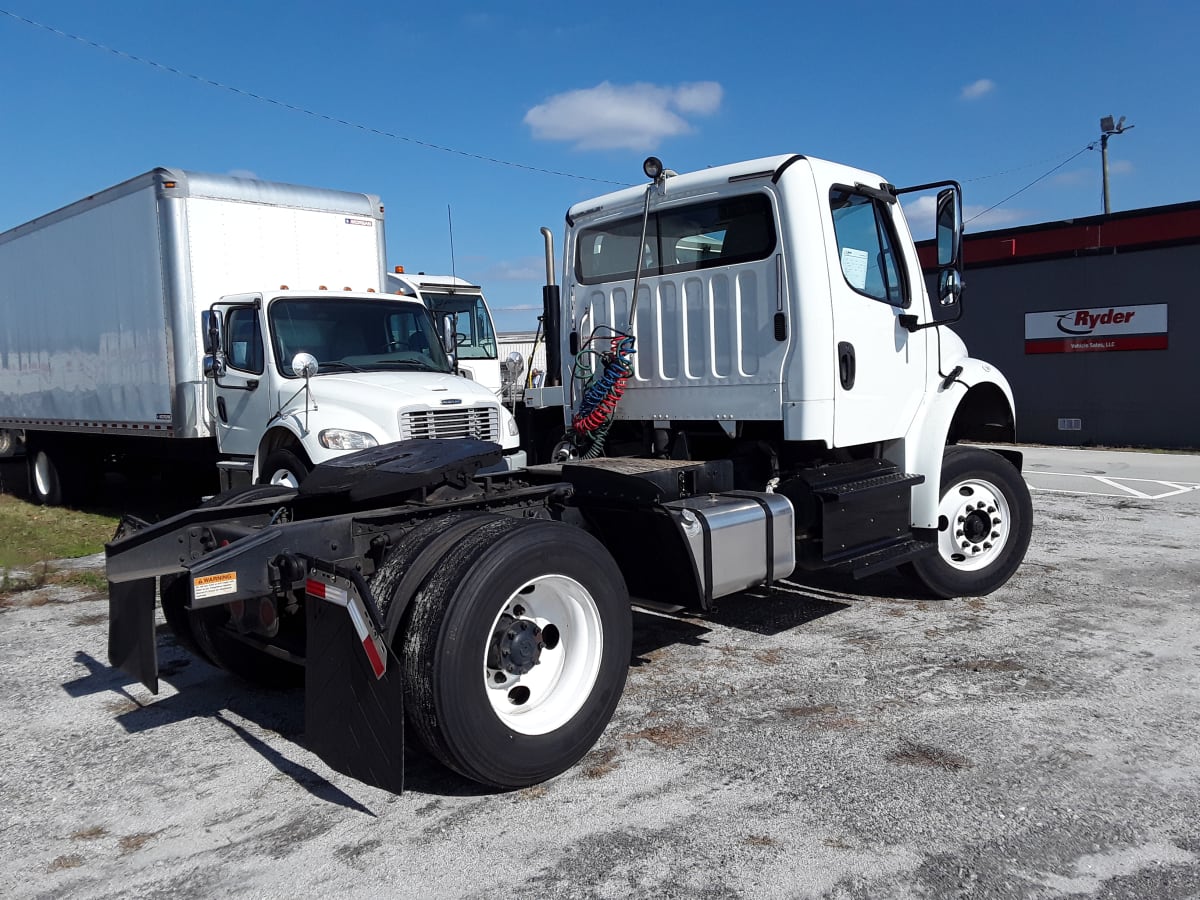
{"points": [[867, 247]]}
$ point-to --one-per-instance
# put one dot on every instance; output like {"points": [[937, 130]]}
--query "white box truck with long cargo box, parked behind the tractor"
{"points": [[160, 322]]}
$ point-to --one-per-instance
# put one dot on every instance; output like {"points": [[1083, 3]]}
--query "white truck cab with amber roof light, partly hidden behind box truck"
{"points": [[463, 304]]}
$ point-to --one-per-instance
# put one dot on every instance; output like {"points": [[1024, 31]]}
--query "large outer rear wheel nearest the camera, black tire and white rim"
{"points": [[541, 574]]}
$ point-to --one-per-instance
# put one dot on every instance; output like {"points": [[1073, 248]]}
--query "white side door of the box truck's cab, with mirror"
{"points": [[242, 394]]}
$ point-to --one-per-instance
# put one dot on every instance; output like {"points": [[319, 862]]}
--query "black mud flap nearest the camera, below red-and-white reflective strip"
{"points": [[355, 721]]}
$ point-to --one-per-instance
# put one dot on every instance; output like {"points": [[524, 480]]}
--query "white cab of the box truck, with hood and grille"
{"points": [[301, 377]]}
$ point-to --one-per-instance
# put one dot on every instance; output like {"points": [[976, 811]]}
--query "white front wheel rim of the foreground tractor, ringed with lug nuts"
{"points": [[975, 521]]}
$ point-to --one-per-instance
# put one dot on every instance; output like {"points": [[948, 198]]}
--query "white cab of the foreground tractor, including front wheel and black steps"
{"points": [[775, 314]]}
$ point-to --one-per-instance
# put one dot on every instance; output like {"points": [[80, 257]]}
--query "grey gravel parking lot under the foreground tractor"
{"points": [[826, 739]]}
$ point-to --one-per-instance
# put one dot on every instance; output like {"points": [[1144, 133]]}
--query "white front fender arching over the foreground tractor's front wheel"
{"points": [[983, 397]]}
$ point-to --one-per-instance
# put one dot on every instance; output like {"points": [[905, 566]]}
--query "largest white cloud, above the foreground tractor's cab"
{"points": [[634, 117]]}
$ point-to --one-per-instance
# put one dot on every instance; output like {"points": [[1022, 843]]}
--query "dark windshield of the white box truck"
{"points": [[356, 335]]}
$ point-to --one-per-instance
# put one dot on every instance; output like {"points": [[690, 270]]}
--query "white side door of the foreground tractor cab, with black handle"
{"points": [[881, 365]]}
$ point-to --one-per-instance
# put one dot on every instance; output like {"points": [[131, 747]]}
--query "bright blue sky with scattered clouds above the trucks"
{"points": [[995, 95]]}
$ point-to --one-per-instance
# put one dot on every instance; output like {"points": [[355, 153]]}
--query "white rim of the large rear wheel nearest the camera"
{"points": [[553, 692]]}
